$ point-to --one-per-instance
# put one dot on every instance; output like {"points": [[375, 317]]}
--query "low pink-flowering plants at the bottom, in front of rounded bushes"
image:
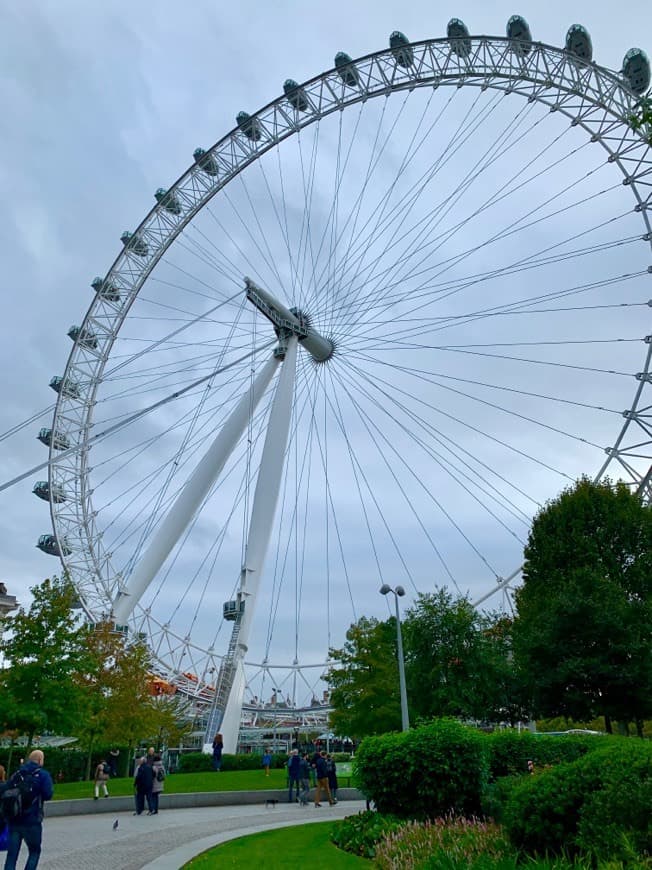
{"points": [[445, 843]]}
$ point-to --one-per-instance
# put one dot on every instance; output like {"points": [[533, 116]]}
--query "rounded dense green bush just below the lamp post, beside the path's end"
{"points": [[430, 771]]}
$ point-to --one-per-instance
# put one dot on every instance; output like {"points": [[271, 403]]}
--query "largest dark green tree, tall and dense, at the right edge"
{"points": [[583, 632]]}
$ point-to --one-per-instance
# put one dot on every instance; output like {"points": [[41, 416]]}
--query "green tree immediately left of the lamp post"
{"points": [[364, 687]]}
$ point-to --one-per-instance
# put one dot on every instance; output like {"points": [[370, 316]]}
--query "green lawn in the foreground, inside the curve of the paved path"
{"points": [[301, 845]]}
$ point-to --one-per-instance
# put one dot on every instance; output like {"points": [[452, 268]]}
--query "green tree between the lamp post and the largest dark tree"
{"points": [[458, 660]]}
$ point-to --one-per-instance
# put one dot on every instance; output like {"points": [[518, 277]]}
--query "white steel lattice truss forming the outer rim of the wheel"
{"points": [[594, 98]]}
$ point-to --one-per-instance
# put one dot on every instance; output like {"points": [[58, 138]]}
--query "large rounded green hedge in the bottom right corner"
{"points": [[598, 805]]}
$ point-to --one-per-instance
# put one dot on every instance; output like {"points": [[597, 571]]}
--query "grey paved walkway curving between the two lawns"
{"points": [[166, 841]]}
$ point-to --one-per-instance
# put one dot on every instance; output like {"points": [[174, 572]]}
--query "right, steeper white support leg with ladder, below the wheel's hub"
{"points": [[260, 529]]}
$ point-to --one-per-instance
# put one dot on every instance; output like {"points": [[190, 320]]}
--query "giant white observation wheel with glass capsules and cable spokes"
{"points": [[362, 339]]}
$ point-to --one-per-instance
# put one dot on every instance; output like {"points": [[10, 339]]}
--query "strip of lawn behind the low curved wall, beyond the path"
{"points": [[183, 783]]}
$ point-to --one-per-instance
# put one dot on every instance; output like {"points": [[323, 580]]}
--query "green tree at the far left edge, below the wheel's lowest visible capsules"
{"points": [[42, 647]]}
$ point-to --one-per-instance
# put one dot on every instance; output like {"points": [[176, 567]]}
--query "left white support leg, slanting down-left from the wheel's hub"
{"points": [[192, 495]]}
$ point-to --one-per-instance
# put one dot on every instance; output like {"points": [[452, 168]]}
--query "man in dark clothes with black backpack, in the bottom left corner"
{"points": [[21, 806]]}
